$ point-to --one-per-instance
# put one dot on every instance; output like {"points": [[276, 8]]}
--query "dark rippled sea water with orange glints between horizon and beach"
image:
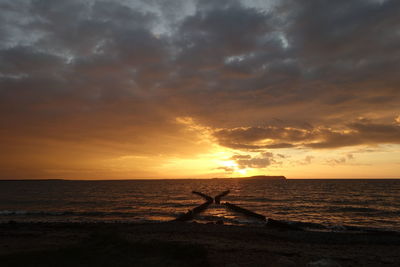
{"points": [[316, 203]]}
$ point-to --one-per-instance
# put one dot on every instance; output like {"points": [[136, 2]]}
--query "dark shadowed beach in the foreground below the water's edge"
{"points": [[189, 244]]}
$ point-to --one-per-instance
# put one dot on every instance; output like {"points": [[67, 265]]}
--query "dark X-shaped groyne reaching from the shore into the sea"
{"points": [[217, 199]]}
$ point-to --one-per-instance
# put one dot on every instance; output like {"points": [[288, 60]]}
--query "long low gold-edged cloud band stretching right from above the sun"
{"points": [[357, 133]]}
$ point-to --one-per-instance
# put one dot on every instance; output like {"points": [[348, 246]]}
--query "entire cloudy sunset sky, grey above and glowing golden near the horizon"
{"points": [[122, 89]]}
